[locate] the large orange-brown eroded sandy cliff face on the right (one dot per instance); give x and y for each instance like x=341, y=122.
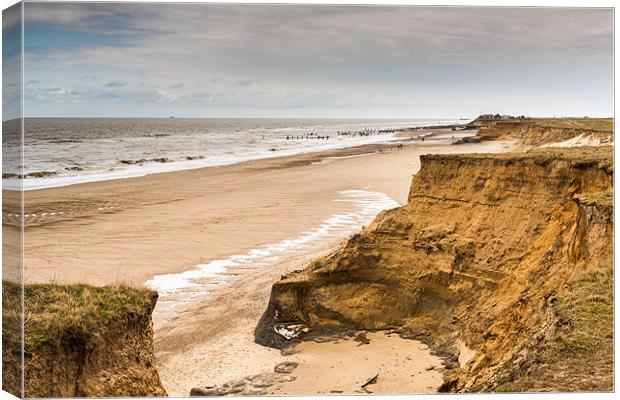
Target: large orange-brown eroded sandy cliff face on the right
x=479, y=255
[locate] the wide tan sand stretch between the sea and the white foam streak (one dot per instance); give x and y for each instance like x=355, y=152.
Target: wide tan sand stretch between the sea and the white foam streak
x=124, y=211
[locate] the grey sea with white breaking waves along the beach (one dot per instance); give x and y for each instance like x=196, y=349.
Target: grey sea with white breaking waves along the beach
x=66, y=151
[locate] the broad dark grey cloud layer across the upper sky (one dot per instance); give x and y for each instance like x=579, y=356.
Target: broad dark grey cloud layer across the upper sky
x=344, y=44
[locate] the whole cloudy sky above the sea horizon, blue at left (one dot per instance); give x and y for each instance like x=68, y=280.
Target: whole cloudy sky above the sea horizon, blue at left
x=224, y=60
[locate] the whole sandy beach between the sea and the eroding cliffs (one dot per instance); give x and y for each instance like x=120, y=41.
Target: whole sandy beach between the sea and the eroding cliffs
x=128, y=231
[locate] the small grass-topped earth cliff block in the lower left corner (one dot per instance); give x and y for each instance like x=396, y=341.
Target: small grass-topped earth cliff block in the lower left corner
x=80, y=341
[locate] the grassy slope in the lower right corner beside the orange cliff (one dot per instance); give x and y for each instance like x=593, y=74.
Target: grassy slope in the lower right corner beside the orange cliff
x=580, y=358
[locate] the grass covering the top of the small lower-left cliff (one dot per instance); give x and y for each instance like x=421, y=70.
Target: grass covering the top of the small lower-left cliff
x=68, y=314
